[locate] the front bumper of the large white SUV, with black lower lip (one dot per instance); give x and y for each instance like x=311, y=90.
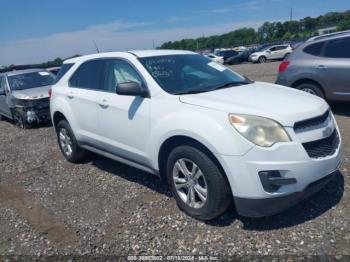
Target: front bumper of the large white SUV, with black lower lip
x=294, y=175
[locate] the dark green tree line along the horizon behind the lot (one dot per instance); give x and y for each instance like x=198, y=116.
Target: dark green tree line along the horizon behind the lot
x=268, y=32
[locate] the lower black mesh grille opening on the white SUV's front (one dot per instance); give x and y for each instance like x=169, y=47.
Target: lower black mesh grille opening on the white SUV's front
x=323, y=147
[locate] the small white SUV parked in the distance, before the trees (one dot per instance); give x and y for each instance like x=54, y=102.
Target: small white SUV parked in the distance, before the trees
x=276, y=52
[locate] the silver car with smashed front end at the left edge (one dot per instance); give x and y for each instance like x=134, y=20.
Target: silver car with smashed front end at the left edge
x=24, y=96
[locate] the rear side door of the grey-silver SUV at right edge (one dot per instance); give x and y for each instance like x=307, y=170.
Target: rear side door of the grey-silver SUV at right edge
x=334, y=67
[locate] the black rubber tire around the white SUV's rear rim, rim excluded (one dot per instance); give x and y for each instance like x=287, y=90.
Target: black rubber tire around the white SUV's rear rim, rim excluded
x=77, y=154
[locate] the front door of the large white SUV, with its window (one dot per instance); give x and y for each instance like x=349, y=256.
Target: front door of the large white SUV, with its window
x=123, y=120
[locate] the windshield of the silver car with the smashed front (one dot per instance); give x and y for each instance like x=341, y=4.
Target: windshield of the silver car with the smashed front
x=31, y=80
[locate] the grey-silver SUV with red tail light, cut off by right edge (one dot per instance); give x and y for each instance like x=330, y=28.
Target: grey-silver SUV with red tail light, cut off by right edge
x=320, y=66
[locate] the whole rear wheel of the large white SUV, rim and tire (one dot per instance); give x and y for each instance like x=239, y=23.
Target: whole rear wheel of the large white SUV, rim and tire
x=68, y=143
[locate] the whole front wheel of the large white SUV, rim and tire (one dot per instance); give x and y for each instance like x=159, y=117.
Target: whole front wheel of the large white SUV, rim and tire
x=199, y=187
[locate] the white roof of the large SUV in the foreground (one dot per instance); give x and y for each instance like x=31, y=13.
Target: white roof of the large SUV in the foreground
x=137, y=53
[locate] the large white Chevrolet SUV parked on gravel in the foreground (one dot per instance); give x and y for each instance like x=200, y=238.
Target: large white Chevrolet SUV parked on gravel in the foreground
x=211, y=134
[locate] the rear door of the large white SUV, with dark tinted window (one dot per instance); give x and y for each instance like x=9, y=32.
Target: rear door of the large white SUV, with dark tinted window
x=84, y=97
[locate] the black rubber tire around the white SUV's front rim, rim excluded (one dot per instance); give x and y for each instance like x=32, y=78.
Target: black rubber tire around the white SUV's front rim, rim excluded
x=218, y=196
